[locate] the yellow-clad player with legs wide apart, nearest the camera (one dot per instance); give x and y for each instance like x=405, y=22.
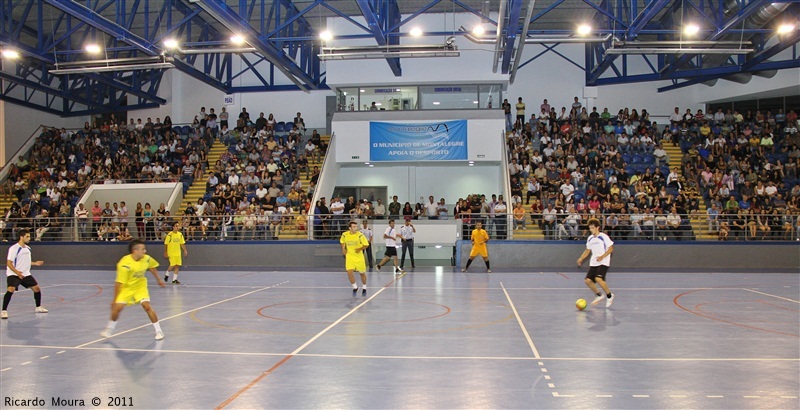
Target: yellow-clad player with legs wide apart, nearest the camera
x=131, y=286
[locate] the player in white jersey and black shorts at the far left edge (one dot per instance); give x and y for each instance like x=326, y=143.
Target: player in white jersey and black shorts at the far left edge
x=18, y=272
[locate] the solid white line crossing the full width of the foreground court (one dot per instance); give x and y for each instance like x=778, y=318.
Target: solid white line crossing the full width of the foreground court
x=394, y=357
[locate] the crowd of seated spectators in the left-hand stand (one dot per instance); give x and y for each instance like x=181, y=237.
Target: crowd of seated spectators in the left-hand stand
x=257, y=177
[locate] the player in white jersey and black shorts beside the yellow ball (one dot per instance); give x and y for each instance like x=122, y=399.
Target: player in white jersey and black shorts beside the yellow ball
x=600, y=247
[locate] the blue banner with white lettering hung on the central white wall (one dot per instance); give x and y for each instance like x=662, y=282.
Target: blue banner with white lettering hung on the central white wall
x=438, y=141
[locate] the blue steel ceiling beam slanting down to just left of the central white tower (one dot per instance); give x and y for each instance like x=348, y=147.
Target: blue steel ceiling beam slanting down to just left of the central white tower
x=239, y=24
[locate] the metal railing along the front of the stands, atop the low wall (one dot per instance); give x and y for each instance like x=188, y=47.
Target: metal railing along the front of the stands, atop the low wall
x=251, y=224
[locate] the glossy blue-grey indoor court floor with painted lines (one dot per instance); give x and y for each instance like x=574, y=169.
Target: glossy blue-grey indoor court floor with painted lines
x=432, y=338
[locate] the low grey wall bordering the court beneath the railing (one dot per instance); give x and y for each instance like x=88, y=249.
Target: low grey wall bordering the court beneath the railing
x=528, y=256
